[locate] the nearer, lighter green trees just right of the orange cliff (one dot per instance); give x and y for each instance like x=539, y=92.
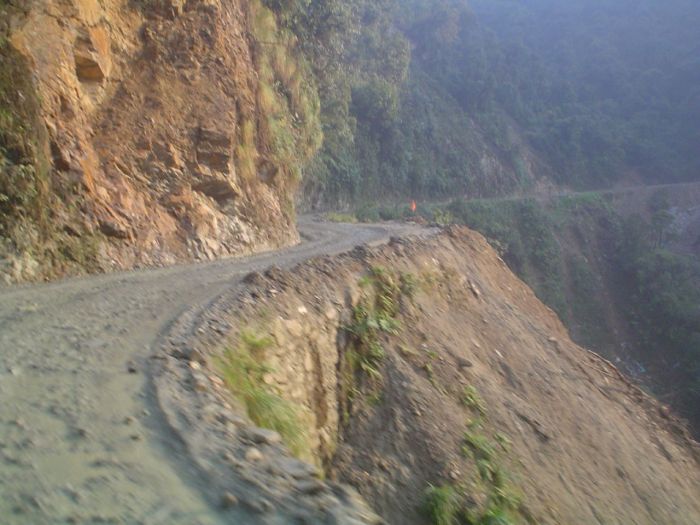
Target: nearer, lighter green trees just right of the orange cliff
x=358, y=59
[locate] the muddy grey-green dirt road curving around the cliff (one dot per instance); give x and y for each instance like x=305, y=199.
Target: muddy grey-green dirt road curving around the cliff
x=80, y=437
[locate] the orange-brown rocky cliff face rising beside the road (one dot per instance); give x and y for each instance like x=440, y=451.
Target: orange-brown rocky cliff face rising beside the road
x=158, y=136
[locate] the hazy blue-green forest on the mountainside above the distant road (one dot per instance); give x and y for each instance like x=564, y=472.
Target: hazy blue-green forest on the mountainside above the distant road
x=430, y=98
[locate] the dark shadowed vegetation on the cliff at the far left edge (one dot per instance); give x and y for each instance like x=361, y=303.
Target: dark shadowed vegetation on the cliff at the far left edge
x=29, y=192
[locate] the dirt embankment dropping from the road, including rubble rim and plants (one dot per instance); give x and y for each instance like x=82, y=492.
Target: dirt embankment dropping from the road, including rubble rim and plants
x=470, y=381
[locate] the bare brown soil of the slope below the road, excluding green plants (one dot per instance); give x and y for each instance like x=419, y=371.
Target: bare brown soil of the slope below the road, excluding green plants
x=586, y=445
